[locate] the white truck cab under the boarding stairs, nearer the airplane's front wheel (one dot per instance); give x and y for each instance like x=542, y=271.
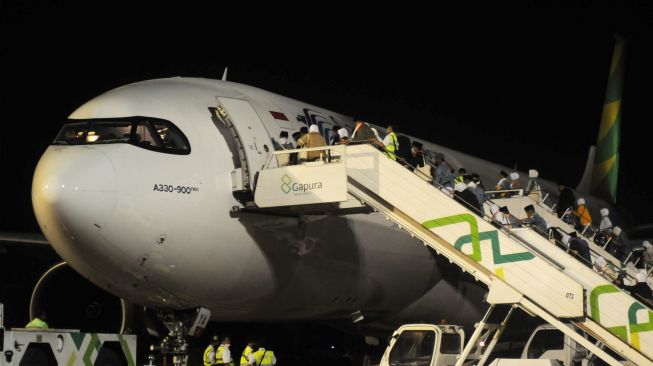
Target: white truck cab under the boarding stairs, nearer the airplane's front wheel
x=424, y=345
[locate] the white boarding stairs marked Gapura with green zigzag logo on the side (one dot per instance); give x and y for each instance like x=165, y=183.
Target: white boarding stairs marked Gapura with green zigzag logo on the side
x=519, y=266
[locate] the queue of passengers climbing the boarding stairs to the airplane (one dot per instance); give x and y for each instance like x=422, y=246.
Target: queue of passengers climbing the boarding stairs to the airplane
x=468, y=190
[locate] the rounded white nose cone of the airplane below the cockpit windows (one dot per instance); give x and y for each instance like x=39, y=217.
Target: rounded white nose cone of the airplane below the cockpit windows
x=74, y=191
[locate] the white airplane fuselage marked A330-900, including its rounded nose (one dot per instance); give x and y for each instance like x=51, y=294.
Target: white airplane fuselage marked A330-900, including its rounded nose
x=158, y=229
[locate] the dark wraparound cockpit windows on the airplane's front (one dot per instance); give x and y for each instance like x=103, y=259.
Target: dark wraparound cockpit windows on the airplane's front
x=145, y=132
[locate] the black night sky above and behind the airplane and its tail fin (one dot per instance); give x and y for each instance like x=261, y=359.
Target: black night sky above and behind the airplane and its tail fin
x=519, y=85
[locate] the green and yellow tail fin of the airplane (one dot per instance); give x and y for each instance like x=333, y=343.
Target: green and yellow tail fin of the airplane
x=606, y=156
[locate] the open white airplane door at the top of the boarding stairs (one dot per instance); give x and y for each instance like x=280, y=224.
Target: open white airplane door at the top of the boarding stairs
x=252, y=139
